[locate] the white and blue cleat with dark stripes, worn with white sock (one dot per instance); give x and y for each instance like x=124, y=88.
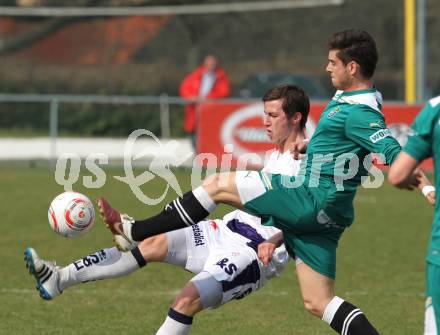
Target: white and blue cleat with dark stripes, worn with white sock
x=45, y=273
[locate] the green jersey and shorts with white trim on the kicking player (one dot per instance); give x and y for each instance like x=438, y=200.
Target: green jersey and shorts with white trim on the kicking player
x=314, y=209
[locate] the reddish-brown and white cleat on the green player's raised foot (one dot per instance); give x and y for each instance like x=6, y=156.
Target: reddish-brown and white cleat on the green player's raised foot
x=119, y=225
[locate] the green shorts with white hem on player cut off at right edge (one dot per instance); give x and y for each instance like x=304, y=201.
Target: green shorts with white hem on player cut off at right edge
x=433, y=292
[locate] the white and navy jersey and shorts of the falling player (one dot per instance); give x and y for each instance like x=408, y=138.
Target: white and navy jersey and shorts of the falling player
x=227, y=248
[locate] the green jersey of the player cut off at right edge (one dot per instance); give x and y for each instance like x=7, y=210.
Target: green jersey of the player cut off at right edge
x=424, y=142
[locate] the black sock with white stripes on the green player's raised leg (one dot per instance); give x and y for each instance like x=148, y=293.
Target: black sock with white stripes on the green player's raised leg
x=182, y=212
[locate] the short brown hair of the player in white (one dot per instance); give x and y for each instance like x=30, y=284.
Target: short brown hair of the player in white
x=294, y=101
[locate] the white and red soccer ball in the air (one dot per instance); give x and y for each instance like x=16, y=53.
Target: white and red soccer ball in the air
x=71, y=214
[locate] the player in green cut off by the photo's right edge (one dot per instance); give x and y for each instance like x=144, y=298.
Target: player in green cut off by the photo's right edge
x=424, y=142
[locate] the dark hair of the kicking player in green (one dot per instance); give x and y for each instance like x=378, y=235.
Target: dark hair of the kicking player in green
x=356, y=45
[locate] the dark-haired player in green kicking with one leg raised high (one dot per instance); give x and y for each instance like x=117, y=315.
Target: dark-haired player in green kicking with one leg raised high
x=314, y=209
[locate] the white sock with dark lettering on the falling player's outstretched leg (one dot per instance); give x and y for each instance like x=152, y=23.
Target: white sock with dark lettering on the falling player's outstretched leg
x=103, y=264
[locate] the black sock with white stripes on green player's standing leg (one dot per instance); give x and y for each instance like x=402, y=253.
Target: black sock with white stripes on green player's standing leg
x=349, y=320
